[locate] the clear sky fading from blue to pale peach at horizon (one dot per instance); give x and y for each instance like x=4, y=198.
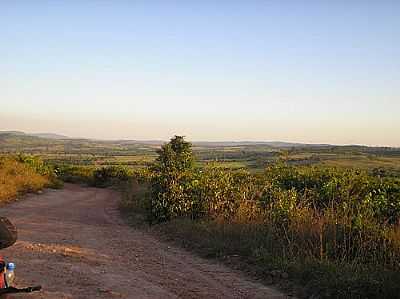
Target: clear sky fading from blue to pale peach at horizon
x=301, y=71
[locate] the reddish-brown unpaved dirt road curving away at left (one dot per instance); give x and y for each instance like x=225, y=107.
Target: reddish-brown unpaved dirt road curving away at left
x=74, y=243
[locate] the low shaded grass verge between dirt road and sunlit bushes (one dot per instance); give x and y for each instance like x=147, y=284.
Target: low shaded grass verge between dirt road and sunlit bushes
x=253, y=249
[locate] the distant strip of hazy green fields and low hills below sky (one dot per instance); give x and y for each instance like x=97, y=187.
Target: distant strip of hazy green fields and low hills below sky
x=253, y=156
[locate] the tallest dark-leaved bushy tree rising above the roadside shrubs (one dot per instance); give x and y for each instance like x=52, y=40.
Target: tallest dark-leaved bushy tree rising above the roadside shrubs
x=172, y=181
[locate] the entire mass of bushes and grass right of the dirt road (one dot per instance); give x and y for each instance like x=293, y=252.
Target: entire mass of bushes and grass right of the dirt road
x=335, y=229
